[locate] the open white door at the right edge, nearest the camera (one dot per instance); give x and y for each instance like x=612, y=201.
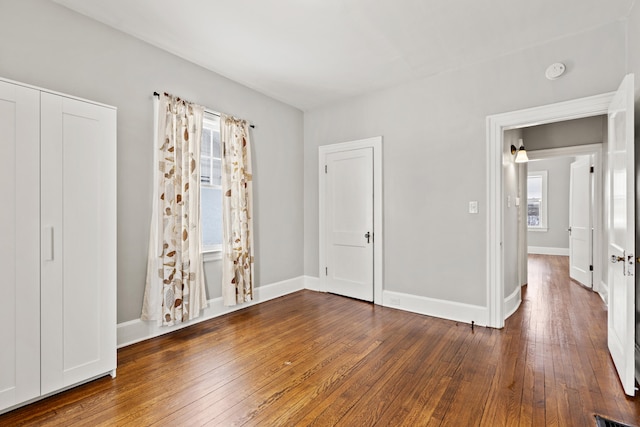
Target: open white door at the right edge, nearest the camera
x=621, y=227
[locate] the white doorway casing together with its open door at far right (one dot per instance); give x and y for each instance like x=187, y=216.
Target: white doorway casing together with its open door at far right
x=619, y=199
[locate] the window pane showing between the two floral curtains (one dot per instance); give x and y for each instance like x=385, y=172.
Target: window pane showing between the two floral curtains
x=211, y=185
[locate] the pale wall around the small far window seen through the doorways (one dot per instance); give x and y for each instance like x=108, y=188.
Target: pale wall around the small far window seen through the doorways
x=556, y=236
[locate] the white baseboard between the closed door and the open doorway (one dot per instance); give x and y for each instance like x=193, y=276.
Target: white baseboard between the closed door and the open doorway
x=449, y=310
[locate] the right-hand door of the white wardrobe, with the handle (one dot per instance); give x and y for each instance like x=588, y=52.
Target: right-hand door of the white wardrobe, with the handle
x=78, y=272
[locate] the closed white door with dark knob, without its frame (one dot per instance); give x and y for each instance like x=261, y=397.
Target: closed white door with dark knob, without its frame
x=349, y=223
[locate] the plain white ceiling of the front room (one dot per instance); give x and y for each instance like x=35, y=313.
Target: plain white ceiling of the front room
x=309, y=53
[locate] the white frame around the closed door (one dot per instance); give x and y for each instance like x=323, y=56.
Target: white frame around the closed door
x=376, y=144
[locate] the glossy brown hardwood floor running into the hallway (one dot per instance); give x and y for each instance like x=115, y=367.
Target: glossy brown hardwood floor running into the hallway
x=319, y=359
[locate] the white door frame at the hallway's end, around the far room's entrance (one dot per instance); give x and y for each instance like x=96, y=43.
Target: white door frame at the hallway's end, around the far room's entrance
x=597, y=203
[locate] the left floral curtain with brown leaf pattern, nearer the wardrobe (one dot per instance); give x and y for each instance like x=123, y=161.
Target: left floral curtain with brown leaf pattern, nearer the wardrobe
x=175, y=287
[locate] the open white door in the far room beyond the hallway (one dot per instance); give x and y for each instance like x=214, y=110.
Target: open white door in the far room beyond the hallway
x=580, y=236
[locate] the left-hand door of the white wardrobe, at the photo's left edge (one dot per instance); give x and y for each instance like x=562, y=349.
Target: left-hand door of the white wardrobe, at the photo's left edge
x=19, y=243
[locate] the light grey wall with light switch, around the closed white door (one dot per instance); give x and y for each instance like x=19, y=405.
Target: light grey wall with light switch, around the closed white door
x=435, y=154
